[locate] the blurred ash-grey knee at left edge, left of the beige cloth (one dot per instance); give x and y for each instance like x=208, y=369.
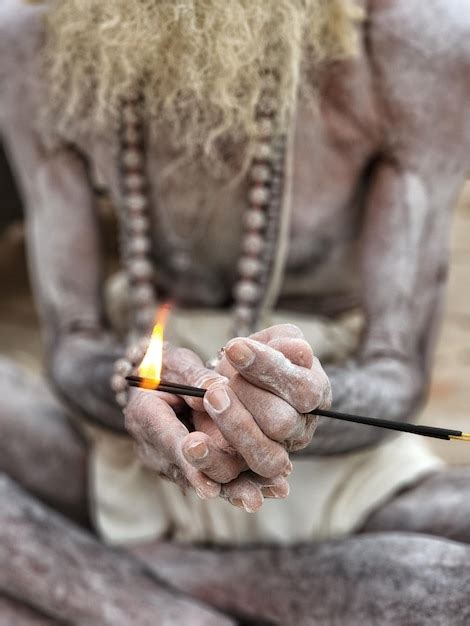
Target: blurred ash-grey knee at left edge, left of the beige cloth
x=39, y=448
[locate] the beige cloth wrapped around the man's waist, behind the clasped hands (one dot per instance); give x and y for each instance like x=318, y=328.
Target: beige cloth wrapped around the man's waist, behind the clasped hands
x=329, y=496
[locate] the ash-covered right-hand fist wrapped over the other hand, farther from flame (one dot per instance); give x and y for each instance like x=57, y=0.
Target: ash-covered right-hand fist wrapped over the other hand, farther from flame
x=274, y=380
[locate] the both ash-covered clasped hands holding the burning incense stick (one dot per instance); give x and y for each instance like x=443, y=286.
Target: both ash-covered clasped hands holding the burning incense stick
x=251, y=417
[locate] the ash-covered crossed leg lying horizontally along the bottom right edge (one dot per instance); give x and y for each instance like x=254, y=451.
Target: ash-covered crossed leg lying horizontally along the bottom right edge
x=386, y=579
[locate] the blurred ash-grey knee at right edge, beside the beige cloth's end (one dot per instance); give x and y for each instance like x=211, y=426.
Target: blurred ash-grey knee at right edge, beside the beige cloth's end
x=438, y=505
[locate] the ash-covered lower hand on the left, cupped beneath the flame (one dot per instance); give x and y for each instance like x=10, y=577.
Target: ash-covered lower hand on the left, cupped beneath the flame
x=200, y=459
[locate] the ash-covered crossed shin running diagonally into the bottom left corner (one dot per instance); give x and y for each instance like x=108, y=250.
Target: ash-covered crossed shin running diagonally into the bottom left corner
x=64, y=572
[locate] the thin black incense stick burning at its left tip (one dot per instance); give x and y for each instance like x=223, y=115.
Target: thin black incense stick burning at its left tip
x=415, y=429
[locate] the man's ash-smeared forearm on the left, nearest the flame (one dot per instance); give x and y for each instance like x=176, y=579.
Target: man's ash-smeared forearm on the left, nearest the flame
x=65, y=256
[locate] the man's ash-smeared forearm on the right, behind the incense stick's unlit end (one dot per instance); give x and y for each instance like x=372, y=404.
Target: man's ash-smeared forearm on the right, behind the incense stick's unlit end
x=404, y=257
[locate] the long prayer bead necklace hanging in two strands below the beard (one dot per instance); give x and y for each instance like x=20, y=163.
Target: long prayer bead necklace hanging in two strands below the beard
x=261, y=219
